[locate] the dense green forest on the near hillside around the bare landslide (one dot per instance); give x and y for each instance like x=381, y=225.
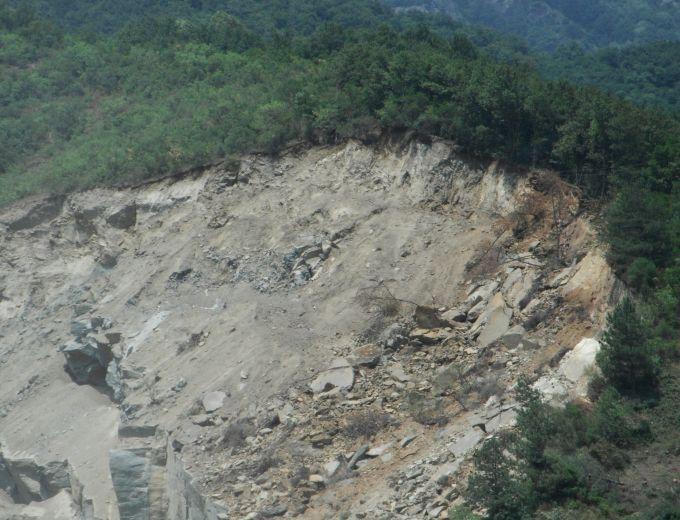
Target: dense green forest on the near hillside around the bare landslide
x=123, y=91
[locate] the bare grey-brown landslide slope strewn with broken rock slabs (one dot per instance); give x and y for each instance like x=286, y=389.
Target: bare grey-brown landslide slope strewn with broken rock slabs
x=327, y=334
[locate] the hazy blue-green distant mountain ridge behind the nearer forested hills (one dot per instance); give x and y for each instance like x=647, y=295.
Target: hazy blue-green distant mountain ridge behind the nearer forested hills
x=549, y=24
